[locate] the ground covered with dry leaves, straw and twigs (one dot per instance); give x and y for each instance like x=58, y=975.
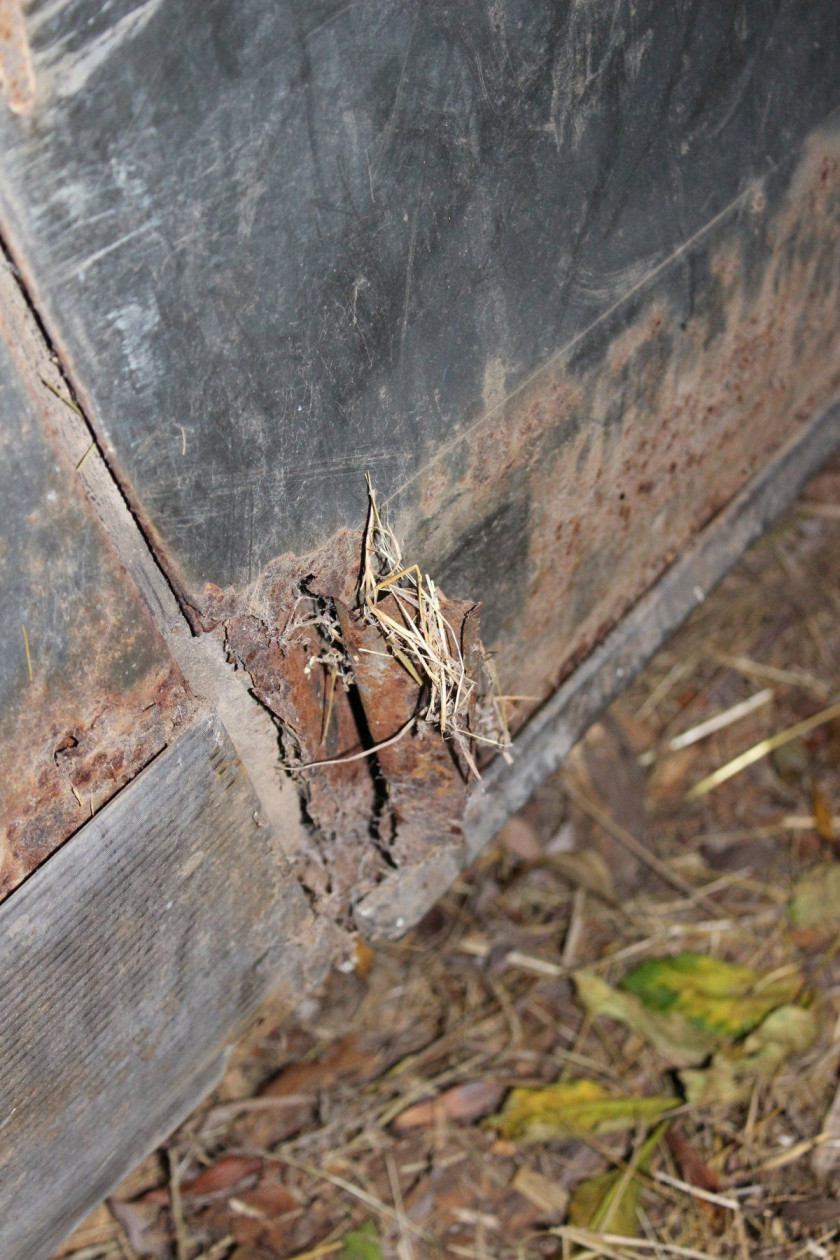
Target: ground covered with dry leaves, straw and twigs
x=382, y=1121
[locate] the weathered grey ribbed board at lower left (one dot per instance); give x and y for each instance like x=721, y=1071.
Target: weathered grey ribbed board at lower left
x=127, y=965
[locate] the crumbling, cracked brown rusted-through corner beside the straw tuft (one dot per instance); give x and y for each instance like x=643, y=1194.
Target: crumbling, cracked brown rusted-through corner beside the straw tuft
x=368, y=816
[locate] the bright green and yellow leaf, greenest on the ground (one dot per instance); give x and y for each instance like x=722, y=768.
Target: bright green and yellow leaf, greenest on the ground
x=713, y=996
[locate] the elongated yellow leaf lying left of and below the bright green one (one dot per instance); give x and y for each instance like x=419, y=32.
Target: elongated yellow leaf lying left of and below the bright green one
x=570, y=1108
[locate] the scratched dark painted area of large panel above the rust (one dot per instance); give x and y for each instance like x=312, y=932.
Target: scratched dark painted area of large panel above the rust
x=323, y=238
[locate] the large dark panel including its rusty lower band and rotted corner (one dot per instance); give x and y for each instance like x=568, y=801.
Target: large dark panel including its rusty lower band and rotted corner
x=564, y=278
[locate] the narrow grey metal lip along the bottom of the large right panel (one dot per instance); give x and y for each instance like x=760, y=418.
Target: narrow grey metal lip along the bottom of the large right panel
x=542, y=745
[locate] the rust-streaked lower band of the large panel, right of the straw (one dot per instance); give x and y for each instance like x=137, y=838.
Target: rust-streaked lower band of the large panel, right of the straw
x=567, y=502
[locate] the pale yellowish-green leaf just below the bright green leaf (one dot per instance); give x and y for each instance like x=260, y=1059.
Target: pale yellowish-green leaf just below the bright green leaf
x=735, y=1070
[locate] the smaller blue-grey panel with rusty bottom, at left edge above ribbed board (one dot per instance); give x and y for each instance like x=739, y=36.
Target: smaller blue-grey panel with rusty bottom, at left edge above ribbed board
x=105, y=697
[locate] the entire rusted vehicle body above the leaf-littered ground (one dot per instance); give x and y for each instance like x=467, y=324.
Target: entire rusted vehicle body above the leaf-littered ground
x=564, y=279
